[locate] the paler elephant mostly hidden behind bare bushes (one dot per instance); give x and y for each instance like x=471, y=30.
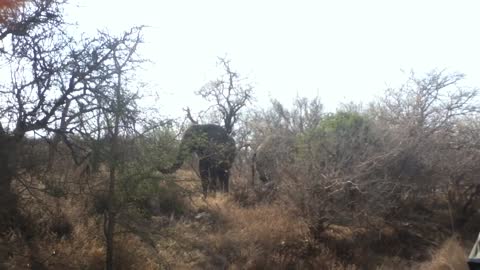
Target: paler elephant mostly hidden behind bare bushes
x=274, y=152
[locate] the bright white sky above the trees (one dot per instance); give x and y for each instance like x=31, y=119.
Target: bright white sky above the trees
x=342, y=51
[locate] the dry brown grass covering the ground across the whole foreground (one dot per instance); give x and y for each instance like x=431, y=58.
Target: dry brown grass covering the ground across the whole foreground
x=217, y=233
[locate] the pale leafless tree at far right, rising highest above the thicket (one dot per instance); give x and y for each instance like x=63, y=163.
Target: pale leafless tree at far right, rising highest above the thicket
x=424, y=123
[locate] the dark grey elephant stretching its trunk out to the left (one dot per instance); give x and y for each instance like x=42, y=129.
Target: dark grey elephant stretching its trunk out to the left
x=216, y=152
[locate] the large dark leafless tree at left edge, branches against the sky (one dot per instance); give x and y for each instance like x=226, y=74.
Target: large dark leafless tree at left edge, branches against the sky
x=52, y=80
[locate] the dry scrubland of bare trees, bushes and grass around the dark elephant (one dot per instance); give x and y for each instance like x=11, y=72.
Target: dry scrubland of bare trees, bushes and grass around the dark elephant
x=388, y=185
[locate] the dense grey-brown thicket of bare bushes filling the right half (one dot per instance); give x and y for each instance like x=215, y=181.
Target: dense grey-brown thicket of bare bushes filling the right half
x=408, y=160
